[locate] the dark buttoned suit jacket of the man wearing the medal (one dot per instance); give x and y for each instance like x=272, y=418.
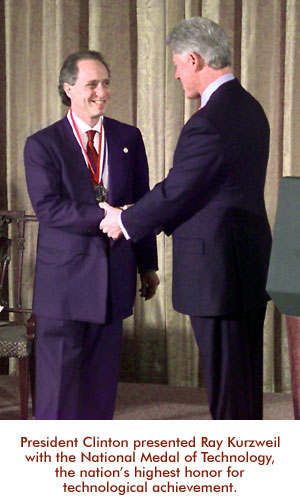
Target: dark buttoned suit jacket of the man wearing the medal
x=80, y=274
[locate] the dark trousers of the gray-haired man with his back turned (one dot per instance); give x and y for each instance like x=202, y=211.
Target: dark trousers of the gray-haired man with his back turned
x=231, y=350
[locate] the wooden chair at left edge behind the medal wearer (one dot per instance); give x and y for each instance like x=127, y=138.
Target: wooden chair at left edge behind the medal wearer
x=17, y=336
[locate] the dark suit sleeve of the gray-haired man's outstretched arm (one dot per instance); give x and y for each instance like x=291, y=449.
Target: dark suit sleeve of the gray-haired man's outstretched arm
x=198, y=162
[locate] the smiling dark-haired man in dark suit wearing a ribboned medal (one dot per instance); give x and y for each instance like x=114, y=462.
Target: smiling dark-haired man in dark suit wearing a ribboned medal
x=85, y=283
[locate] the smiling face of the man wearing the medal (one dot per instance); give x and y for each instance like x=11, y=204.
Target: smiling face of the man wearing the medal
x=91, y=92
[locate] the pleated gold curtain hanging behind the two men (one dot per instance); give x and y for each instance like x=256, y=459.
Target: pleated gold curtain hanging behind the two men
x=265, y=40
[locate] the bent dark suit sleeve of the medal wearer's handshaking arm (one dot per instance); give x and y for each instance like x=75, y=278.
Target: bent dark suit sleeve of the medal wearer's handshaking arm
x=50, y=199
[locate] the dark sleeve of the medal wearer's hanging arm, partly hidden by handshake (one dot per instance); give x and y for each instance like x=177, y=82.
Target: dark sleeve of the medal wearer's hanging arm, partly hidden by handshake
x=145, y=248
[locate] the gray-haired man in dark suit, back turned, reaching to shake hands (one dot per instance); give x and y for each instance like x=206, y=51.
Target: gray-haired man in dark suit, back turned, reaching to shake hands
x=212, y=202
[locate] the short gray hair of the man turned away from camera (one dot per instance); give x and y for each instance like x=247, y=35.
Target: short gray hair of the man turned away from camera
x=204, y=37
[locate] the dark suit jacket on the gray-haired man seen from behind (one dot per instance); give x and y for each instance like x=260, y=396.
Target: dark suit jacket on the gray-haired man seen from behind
x=212, y=201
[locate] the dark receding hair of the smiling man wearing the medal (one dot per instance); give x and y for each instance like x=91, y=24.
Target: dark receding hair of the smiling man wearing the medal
x=69, y=70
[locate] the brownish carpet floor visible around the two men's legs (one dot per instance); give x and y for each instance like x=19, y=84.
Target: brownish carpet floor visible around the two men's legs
x=153, y=402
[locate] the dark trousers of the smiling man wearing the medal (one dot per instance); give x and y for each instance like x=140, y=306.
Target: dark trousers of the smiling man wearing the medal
x=77, y=369
